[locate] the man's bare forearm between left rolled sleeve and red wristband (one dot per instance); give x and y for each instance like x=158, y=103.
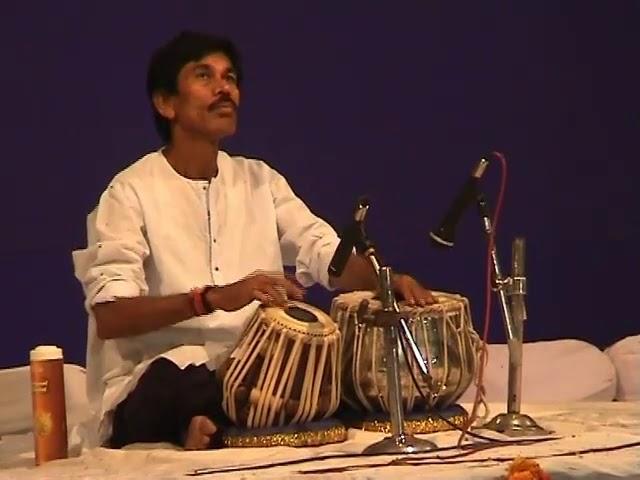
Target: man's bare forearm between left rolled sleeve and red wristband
x=126, y=317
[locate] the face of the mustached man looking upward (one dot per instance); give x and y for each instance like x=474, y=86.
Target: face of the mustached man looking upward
x=206, y=104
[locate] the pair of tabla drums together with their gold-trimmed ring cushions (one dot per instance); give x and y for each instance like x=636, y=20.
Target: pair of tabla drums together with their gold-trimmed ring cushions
x=292, y=366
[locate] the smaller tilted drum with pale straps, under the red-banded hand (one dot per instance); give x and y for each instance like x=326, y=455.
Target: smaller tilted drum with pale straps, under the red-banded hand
x=284, y=370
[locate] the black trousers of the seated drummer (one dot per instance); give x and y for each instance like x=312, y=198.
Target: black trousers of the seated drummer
x=161, y=406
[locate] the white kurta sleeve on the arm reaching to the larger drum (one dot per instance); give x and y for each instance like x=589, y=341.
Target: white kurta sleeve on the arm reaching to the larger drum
x=306, y=241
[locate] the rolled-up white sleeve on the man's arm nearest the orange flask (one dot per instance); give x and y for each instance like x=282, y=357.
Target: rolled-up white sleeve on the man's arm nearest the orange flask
x=112, y=264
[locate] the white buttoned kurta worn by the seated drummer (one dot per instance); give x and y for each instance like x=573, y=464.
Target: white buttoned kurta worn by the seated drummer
x=157, y=233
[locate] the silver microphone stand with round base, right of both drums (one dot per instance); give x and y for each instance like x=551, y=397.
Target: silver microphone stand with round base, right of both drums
x=512, y=423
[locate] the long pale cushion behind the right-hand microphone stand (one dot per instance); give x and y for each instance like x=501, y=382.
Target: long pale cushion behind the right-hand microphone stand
x=553, y=372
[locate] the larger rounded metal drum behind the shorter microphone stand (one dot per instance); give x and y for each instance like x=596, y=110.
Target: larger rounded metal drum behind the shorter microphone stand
x=443, y=333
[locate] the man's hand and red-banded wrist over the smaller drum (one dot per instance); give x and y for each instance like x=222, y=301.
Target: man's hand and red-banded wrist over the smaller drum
x=267, y=287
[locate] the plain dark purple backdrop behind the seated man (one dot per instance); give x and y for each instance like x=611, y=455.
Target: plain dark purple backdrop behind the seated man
x=396, y=100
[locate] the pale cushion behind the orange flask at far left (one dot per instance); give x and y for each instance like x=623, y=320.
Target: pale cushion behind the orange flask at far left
x=15, y=400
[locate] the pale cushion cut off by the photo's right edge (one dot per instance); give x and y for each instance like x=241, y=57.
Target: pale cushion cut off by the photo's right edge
x=625, y=355
